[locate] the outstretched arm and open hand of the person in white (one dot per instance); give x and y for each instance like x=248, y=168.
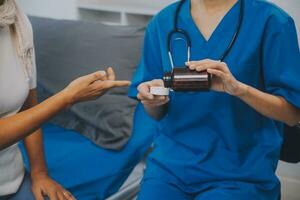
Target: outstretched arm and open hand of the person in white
x=90, y=87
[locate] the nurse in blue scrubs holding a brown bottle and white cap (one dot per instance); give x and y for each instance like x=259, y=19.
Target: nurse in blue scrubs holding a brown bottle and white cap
x=222, y=144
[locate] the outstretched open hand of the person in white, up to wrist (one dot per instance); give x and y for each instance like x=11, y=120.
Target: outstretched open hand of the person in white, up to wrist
x=92, y=86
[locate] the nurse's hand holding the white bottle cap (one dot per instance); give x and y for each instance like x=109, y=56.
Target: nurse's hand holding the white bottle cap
x=149, y=99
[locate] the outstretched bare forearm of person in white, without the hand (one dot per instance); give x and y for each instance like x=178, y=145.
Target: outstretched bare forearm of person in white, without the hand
x=16, y=127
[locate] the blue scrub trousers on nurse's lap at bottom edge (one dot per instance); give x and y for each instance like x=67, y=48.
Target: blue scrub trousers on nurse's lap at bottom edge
x=160, y=190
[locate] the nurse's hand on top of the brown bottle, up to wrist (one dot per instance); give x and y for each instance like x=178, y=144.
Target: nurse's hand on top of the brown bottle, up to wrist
x=222, y=78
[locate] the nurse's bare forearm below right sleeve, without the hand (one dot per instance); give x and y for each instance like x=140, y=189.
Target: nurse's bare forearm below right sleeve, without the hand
x=270, y=106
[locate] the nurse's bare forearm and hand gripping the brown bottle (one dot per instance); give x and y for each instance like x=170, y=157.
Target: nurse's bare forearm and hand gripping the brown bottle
x=269, y=105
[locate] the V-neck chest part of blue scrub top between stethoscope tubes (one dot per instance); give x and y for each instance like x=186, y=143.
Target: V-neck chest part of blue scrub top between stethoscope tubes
x=219, y=40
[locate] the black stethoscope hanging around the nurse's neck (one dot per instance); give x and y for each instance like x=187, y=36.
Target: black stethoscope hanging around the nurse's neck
x=185, y=34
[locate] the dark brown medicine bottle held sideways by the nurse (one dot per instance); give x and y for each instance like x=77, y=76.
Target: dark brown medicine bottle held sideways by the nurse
x=186, y=80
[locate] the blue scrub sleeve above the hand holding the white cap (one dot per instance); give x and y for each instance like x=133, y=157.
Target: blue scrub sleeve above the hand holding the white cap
x=150, y=66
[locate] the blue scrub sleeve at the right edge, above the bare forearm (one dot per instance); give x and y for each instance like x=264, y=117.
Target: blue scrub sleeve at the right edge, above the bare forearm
x=281, y=60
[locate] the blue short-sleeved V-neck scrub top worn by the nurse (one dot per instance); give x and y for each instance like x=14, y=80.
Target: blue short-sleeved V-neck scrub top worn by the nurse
x=211, y=137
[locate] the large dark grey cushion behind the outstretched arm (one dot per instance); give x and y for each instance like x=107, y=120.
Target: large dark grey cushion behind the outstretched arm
x=69, y=49
